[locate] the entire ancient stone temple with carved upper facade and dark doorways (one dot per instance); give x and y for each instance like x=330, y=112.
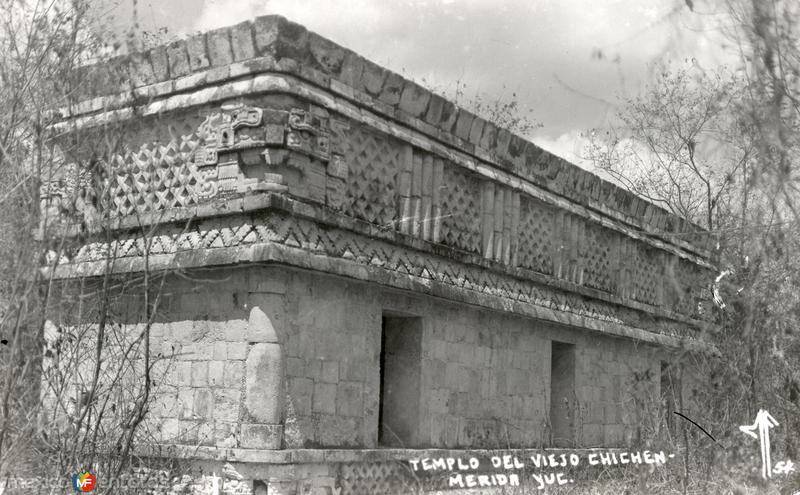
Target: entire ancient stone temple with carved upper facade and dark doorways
x=360, y=271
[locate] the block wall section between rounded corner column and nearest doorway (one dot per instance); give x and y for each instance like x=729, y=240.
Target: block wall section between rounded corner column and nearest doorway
x=333, y=350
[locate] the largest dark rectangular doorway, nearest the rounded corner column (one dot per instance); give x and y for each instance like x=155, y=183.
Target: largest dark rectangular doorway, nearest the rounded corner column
x=400, y=363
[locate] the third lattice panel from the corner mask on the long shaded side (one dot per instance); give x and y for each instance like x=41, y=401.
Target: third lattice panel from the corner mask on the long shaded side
x=536, y=236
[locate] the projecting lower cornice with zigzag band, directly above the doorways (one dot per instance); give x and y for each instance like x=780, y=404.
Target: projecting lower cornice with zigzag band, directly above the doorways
x=257, y=229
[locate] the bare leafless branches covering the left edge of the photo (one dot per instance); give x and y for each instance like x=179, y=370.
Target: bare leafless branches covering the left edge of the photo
x=77, y=372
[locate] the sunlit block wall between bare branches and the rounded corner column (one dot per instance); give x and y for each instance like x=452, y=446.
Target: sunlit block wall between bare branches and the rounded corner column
x=206, y=344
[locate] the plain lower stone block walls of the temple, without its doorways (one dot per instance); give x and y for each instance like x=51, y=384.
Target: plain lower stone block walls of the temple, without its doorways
x=484, y=376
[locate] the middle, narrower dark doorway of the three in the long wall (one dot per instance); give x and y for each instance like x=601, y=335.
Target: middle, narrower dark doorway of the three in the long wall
x=562, y=394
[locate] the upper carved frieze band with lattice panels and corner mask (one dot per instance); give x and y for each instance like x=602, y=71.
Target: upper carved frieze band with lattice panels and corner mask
x=392, y=184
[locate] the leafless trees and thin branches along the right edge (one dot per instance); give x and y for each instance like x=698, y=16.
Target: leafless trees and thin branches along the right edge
x=719, y=147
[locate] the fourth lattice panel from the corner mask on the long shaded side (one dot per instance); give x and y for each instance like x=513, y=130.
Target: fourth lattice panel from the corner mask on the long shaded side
x=599, y=258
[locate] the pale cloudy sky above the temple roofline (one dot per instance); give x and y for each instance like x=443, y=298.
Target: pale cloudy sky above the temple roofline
x=544, y=50
